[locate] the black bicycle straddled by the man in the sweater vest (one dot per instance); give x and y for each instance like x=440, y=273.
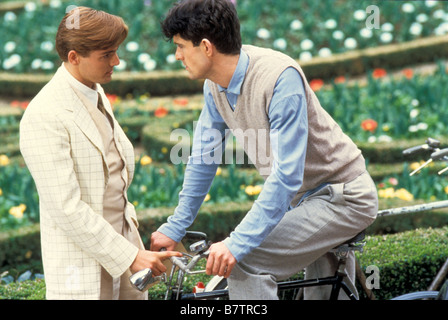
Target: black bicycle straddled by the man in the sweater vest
x=217, y=287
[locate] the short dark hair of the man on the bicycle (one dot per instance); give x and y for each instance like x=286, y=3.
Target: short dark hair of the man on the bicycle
x=215, y=20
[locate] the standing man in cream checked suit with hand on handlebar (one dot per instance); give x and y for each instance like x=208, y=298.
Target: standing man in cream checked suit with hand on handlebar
x=82, y=164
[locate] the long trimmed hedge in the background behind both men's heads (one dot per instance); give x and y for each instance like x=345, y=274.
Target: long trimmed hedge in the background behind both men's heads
x=160, y=83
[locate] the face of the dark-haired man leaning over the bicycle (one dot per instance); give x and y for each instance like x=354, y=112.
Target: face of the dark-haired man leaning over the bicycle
x=194, y=59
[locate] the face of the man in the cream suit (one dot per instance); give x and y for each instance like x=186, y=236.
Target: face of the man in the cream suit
x=97, y=67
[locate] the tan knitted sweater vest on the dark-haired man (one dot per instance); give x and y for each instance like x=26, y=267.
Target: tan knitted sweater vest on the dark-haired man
x=331, y=156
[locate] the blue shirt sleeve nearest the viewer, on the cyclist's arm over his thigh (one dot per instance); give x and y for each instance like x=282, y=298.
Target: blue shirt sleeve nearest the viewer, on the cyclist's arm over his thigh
x=289, y=135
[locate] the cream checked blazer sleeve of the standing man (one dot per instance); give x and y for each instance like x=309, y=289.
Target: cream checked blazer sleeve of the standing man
x=45, y=143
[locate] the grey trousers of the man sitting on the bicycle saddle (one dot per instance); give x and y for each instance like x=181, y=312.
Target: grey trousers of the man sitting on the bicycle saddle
x=303, y=239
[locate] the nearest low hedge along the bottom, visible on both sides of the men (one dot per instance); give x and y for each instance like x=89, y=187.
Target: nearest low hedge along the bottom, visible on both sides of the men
x=406, y=261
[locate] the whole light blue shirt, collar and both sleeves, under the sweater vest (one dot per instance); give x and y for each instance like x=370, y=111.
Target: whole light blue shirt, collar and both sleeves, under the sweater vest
x=288, y=119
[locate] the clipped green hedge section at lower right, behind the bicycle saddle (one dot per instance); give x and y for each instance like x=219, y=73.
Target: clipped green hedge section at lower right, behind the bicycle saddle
x=407, y=261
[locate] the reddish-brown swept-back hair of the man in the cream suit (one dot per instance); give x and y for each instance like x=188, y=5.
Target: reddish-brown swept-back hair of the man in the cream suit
x=85, y=30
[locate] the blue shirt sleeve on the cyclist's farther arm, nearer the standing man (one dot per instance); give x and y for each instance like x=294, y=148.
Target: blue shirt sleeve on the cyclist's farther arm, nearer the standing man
x=209, y=141
